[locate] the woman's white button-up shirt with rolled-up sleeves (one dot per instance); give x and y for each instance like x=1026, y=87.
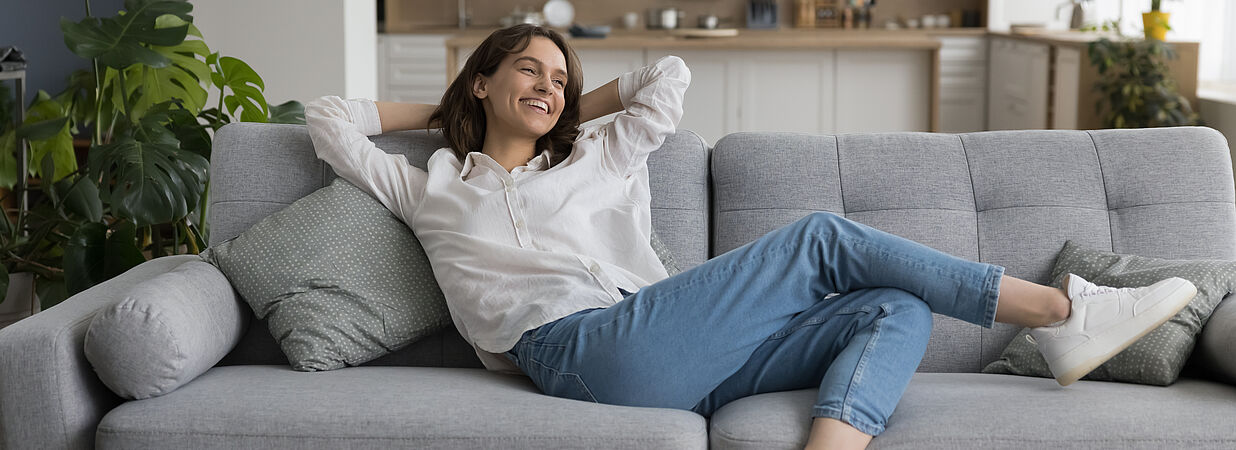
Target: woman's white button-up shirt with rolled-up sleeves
x=514, y=252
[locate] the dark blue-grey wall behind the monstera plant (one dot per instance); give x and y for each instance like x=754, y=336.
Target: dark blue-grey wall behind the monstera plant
x=35, y=28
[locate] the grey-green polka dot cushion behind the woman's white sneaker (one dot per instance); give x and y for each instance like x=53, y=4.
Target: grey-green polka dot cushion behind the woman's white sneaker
x=1160, y=357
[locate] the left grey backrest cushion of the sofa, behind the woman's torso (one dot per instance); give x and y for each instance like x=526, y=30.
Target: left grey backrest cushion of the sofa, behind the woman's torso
x=260, y=169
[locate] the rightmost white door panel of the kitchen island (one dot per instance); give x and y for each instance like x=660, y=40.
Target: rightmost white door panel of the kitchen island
x=883, y=91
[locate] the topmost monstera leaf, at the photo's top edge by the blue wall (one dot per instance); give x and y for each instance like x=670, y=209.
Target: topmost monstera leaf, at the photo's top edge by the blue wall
x=118, y=43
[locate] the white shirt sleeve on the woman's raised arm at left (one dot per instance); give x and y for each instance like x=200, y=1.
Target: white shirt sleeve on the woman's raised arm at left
x=341, y=132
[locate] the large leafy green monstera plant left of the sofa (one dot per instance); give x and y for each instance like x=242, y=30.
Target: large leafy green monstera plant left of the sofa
x=143, y=192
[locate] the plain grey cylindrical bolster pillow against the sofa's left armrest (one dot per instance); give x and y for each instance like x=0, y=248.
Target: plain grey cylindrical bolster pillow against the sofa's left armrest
x=166, y=332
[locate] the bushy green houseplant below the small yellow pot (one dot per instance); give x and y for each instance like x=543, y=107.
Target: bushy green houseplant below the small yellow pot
x=1137, y=87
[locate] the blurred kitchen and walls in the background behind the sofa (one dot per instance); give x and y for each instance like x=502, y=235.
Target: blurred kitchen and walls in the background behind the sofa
x=810, y=66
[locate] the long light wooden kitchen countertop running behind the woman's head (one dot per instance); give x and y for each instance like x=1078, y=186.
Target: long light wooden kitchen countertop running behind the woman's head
x=746, y=39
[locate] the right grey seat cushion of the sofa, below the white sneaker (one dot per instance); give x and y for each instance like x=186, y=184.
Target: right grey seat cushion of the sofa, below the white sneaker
x=983, y=411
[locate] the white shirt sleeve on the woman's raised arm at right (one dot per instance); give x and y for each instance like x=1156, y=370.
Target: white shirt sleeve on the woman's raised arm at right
x=652, y=98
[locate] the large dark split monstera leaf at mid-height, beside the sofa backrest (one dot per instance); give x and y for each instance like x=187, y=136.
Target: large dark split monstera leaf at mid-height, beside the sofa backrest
x=148, y=179
